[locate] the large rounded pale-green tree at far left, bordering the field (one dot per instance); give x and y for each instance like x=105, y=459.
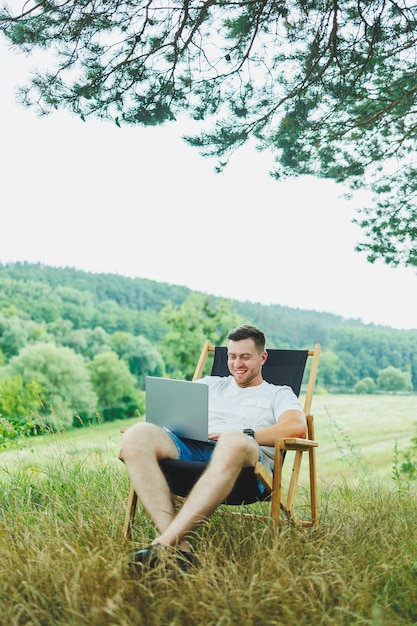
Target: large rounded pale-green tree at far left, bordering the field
x=63, y=378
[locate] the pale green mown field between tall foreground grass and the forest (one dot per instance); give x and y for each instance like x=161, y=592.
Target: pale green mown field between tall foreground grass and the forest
x=356, y=434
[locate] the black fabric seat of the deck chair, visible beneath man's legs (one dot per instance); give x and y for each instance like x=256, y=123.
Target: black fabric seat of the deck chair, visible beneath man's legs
x=182, y=475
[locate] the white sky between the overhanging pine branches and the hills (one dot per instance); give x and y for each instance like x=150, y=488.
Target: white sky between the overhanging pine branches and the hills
x=139, y=202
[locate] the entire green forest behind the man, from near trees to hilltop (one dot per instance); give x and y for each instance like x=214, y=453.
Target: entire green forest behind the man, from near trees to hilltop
x=76, y=347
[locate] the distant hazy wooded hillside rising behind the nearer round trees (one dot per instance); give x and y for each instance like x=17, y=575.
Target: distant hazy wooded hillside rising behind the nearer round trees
x=84, y=310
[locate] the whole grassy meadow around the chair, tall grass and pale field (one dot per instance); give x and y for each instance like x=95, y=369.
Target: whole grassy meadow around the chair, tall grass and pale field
x=64, y=562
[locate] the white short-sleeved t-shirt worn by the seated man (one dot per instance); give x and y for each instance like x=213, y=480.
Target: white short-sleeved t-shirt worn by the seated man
x=234, y=408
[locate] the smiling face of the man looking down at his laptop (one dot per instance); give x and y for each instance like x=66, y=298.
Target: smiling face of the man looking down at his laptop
x=245, y=362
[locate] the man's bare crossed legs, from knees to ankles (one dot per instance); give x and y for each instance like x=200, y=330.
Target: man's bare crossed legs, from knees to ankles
x=144, y=444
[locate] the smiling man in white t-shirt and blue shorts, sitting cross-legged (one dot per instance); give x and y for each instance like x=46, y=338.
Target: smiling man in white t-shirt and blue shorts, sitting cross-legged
x=246, y=416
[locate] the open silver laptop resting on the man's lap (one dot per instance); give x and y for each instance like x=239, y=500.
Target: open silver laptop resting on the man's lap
x=180, y=405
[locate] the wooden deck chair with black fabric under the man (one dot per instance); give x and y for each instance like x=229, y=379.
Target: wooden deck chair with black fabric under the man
x=283, y=367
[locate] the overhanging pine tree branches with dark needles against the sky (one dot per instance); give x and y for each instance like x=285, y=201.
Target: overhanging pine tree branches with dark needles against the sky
x=329, y=86
